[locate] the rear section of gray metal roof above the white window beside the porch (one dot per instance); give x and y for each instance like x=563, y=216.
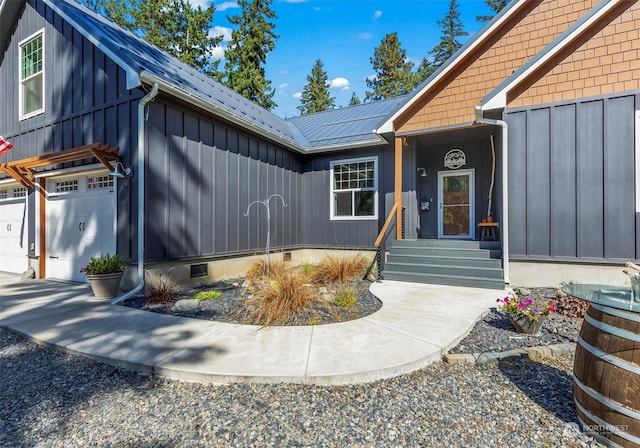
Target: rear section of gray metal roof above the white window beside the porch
x=349, y=126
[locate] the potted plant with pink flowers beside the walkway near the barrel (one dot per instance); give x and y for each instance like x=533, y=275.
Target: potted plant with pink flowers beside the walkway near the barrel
x=525, y=315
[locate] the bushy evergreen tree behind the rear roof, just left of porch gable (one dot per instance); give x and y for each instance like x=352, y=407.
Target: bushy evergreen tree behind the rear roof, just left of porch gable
x=394, y=75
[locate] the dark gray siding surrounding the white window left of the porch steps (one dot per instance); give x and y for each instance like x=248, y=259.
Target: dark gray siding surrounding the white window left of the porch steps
x=318, y=228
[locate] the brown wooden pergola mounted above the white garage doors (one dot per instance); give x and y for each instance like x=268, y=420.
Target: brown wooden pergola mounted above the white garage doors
x=24, y=170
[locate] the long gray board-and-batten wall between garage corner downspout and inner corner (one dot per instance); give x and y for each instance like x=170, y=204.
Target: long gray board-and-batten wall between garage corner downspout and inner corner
x=201, y=177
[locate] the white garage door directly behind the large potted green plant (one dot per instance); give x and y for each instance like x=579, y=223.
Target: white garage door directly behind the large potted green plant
x=80, y=215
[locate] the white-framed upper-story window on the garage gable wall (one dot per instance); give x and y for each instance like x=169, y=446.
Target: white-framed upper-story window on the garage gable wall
x=32, y=75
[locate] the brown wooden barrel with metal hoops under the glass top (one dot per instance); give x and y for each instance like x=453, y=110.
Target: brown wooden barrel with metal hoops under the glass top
x=607, y=376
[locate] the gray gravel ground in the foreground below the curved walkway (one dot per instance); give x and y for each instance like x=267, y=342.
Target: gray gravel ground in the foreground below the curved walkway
x=51, y=399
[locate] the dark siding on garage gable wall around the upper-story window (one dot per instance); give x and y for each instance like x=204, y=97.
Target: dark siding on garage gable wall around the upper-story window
x=85, y=101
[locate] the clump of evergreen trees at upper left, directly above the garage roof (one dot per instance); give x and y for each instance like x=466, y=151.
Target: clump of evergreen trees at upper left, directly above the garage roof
x=171, y=25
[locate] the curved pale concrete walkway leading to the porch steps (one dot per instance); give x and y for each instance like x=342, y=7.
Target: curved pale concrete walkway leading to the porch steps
x=416, y=325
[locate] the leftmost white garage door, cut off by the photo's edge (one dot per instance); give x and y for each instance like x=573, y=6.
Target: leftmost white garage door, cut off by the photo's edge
x=13, y=228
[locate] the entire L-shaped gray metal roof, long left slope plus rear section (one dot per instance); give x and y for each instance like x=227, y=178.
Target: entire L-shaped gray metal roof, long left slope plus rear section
x=143, y=62
